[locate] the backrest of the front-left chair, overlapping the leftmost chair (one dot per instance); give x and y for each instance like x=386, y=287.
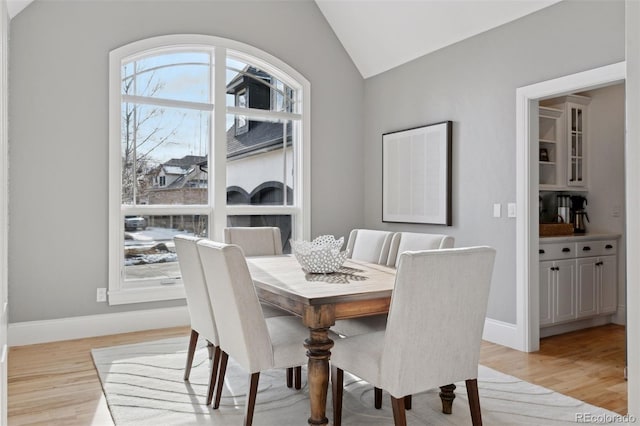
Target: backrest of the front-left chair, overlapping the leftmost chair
x=242, y=328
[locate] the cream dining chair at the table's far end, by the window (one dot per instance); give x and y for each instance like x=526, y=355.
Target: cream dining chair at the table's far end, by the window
x=263, y=241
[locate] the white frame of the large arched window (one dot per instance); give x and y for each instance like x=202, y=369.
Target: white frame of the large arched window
x=217, y=210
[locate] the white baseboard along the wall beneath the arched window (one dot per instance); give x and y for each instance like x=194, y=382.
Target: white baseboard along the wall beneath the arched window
x=31, y=332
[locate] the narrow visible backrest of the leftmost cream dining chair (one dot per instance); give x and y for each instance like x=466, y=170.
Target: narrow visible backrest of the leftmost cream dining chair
x=195, y=288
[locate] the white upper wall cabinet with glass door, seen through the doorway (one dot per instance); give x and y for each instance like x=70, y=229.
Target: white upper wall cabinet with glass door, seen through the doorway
x=562, y=130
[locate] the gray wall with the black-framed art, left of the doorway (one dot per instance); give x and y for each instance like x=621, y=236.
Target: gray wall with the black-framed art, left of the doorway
x=473, y=83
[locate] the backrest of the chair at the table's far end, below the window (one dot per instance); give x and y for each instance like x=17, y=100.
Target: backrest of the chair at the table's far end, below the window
x=255, y=241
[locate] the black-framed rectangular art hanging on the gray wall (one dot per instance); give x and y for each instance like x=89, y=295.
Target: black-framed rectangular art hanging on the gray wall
x=416, y=175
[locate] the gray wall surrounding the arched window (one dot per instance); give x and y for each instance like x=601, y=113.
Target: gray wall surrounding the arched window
x=58, y=131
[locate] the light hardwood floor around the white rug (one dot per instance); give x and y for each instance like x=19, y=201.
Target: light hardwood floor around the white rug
x=56, y=383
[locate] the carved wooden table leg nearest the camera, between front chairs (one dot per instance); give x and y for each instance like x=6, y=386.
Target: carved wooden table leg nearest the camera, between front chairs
x=318, y=345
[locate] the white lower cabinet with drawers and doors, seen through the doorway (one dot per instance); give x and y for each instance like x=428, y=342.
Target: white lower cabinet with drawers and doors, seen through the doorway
x=577, y=280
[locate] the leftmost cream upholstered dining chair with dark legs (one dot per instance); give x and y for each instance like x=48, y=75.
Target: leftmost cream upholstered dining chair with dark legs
x=200, y=312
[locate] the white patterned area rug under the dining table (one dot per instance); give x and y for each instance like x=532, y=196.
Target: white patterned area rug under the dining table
x=143, y=385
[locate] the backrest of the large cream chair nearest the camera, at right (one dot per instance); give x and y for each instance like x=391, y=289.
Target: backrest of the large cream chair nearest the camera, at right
x=434, y=329
